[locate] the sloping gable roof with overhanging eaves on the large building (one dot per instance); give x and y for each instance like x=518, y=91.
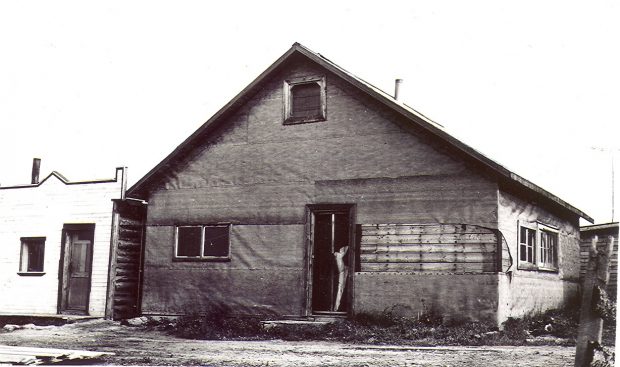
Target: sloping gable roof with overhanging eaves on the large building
x=140, y=188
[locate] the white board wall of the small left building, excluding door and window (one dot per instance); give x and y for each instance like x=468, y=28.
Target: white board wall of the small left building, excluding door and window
x=41, y=211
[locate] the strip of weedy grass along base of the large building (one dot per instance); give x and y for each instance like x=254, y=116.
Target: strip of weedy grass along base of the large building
x=553, y=327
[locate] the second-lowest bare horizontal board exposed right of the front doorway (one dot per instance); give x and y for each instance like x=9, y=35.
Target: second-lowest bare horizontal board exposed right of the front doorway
x=421, y=257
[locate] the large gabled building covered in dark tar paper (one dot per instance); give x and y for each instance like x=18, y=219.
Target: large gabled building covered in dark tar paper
x=313, y=192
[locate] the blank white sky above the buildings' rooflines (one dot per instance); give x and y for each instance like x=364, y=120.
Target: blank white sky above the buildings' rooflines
x=534, y=85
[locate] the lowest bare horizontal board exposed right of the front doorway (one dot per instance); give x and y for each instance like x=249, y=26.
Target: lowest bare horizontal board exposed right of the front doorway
x=429, y=267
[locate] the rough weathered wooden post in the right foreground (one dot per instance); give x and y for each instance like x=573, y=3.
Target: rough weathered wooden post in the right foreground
x=591, y=323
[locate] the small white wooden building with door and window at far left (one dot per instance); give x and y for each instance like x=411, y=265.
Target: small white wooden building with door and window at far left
x=55, y=244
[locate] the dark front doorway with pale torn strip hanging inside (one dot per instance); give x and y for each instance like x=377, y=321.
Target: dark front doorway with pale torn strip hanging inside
x=331, y=254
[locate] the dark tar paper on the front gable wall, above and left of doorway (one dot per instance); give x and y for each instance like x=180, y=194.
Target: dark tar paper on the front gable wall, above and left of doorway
x=259, y=175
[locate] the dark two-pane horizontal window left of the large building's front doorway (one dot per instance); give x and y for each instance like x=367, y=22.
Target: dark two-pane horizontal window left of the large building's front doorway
x=204, y=242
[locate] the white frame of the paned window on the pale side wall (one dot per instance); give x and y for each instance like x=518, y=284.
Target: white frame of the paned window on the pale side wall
x=539, y=229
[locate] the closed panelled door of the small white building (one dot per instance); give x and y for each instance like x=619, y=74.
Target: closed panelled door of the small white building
x=76, y=270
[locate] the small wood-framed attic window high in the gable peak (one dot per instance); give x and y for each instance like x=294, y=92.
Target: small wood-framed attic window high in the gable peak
x=304, y=100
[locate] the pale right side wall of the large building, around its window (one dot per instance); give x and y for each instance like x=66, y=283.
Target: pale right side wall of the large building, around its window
x=524, y=292
